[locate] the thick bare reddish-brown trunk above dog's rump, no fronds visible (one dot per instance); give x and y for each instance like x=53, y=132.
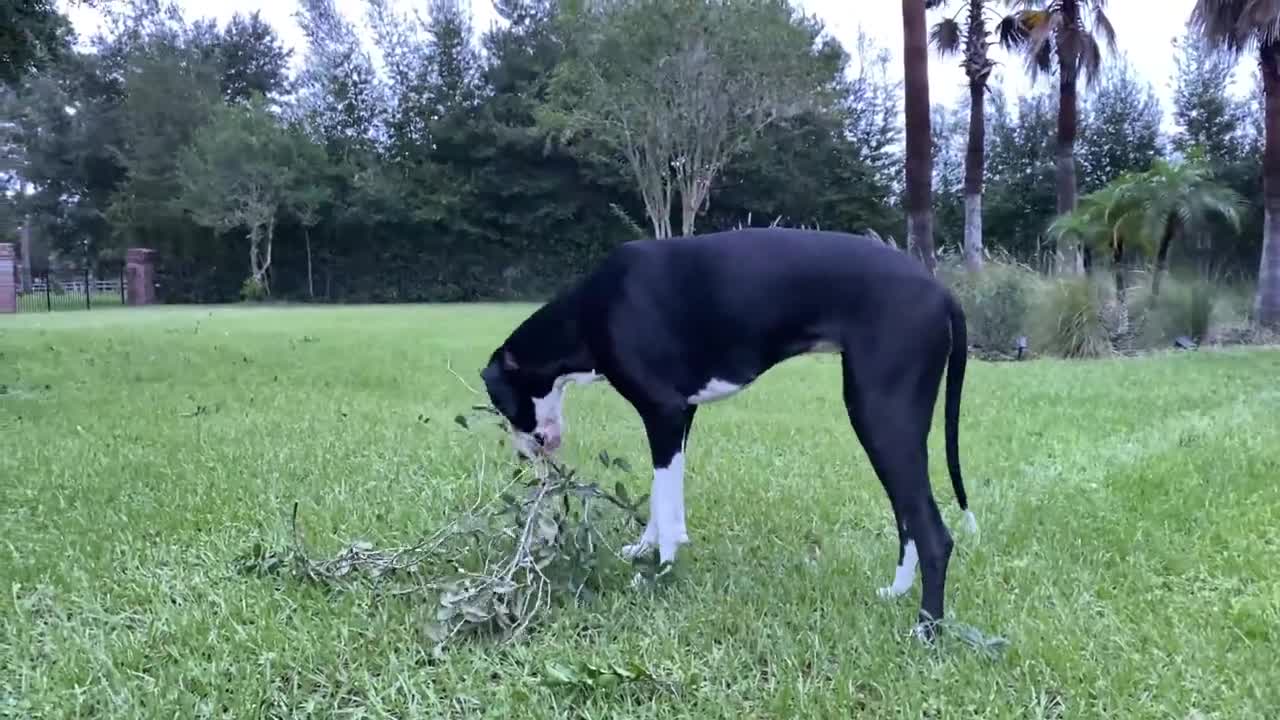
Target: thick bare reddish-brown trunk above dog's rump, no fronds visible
x=920, y=142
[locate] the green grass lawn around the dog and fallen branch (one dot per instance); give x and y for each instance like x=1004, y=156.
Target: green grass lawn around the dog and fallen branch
x=1130, y=545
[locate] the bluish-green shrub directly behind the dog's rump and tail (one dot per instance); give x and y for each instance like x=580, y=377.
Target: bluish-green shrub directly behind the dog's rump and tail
x=996, y=302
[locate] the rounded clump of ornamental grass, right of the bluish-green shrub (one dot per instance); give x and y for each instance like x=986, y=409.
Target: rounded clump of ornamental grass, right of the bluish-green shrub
x=1076, y=317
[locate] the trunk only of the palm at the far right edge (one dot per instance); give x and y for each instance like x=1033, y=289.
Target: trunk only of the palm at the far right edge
x=1268, y=302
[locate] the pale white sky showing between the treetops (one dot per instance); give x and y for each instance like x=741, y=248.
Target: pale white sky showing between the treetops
x=1144, y=37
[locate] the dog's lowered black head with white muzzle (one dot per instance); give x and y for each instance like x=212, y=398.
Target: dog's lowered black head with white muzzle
x=529, y=400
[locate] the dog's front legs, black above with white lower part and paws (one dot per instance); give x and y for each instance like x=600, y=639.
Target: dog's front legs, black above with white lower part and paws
x=666, y=528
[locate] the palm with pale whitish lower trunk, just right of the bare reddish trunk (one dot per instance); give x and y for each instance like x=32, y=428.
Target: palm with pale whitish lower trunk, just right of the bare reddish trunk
x=971, y=40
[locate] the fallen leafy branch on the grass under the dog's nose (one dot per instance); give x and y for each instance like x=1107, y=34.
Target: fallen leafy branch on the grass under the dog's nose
x=496, y=569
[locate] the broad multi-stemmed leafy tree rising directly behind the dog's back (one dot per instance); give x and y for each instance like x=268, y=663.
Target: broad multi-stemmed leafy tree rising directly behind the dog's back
x=680, y=88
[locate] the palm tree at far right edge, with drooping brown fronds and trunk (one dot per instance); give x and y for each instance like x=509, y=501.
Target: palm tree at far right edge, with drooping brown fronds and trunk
x=1238, y=28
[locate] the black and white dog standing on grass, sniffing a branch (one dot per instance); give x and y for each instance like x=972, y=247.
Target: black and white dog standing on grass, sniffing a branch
x=675, y=323
